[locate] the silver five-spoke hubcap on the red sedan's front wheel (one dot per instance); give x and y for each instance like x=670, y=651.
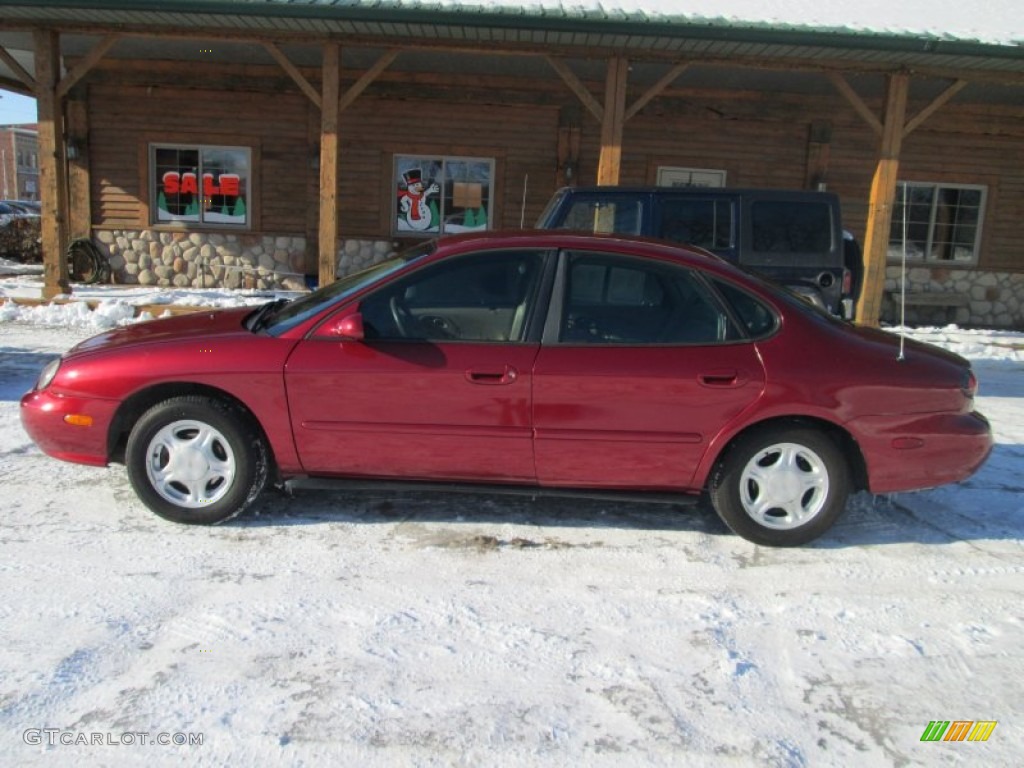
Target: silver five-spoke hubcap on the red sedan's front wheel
x=190, y=464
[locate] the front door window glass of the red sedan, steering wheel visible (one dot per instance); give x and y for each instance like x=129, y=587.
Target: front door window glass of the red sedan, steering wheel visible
x=478, y=297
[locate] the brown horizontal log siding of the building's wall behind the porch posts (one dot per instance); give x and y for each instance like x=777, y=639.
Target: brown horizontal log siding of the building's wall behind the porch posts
x=760, y=139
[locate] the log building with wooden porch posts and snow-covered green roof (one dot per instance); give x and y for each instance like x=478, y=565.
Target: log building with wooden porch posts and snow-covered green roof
x=275, y=144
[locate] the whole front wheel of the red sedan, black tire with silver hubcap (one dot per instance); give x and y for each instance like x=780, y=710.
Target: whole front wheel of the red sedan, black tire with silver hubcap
x=197, y=460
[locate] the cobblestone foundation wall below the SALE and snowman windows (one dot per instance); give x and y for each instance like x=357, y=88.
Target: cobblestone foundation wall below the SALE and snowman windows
x=263, y=263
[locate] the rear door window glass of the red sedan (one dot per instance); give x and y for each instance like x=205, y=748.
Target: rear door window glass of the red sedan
x=619, y=301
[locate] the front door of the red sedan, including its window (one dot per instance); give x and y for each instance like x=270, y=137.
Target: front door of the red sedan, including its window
x=441, y=387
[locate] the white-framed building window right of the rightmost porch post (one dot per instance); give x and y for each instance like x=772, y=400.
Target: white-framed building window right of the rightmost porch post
x=937, y=223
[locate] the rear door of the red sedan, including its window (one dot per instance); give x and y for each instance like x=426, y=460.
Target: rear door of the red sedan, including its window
x=641, y=369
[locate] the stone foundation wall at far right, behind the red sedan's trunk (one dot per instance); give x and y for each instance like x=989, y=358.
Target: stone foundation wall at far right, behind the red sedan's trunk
x=994, y=300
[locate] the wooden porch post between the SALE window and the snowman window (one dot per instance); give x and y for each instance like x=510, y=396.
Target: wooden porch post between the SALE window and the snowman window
x=328, y=236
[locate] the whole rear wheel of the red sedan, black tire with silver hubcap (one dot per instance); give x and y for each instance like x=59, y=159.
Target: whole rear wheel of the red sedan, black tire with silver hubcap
x=781, y=486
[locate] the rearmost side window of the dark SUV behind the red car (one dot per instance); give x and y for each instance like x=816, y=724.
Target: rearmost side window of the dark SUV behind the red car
x=785, y=227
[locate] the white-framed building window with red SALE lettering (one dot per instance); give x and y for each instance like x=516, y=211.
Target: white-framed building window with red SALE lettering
x=200, y=185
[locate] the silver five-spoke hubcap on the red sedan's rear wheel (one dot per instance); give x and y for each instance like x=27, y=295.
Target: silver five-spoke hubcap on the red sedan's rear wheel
x=784, y=486
